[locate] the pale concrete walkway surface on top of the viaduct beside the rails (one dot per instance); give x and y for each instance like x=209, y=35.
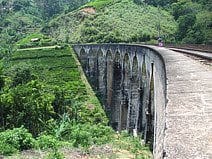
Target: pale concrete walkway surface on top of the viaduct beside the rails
x=189, y=109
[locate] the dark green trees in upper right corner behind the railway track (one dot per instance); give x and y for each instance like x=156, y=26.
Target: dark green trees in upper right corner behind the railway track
x=194, y=21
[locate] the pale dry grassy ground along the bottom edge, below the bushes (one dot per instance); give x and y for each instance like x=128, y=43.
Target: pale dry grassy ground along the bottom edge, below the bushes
x=121, y=147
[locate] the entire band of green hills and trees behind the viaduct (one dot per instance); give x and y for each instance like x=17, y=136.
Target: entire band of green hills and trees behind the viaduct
x=98, y=21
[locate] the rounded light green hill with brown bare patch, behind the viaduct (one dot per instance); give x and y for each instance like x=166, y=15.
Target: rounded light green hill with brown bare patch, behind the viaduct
x=115, y=21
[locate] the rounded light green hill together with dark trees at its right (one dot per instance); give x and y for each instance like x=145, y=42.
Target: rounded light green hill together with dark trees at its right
x=183, y=21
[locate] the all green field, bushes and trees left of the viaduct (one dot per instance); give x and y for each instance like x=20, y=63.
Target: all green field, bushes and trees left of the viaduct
x=46, y=104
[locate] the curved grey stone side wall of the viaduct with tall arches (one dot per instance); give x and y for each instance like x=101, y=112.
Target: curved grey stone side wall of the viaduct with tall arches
x=131, y=82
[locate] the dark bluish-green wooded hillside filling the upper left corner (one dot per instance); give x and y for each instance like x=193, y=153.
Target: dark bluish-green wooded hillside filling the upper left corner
x=20, y=18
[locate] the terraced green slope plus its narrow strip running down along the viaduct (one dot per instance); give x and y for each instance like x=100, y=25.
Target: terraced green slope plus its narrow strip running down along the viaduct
x=55, y=67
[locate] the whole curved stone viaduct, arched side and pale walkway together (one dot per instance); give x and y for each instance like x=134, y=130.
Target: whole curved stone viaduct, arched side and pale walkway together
x=163, y=96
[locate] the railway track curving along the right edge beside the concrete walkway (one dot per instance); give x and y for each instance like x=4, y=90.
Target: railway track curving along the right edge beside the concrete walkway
x=202, y=56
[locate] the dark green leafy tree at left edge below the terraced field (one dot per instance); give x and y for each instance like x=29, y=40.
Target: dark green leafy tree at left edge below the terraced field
x=27, y=105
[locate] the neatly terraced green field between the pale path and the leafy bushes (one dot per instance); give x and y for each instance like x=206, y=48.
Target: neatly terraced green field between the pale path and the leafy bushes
x=52, y=66
